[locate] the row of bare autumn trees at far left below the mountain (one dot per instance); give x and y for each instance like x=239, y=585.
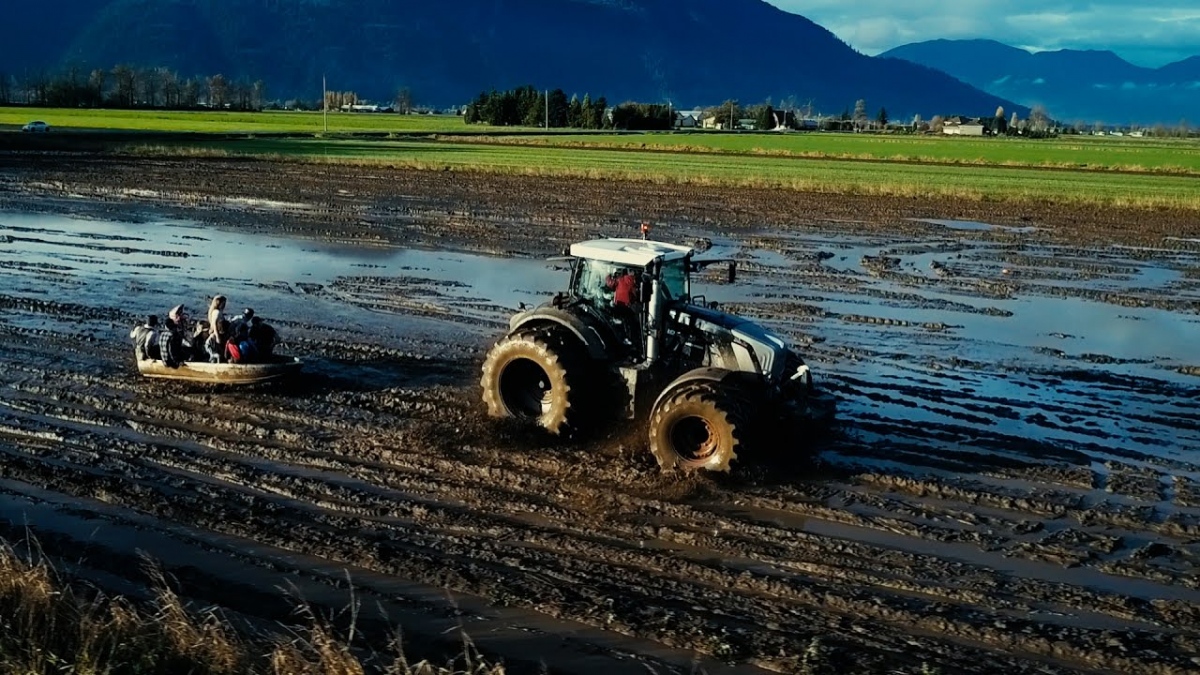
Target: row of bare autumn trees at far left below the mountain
x=129, y=87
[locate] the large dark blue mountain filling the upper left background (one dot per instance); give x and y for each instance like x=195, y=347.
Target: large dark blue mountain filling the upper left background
x=692, y=55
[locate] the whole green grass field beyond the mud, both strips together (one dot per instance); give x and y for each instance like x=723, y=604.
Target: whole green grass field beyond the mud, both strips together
x=1141, y=172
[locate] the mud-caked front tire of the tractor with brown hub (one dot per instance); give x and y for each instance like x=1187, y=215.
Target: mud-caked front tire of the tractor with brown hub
x=698, y=427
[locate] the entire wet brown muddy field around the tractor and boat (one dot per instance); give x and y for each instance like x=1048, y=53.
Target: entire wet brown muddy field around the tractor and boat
x=1013, y=482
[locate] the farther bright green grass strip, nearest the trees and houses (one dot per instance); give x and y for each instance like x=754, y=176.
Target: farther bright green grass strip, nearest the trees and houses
x=1071, y=152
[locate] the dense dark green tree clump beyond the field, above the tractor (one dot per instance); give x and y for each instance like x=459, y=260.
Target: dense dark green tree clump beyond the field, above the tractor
x=526, y=106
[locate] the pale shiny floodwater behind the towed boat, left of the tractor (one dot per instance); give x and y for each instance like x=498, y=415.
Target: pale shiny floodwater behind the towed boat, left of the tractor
x=152, y=266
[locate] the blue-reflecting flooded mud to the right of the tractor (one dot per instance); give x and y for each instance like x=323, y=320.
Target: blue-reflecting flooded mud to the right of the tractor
x=982, y=355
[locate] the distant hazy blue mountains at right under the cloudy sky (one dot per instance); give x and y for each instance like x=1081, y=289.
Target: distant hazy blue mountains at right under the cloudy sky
x=1073, y=86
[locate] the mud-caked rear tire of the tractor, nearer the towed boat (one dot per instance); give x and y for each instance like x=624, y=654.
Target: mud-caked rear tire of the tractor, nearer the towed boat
x=538, y=378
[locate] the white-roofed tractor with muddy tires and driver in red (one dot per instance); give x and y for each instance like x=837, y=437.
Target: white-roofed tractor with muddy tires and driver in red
x=705, y=380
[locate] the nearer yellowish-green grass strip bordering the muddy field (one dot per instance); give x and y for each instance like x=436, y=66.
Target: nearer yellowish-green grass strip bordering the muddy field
x=973, y=182
